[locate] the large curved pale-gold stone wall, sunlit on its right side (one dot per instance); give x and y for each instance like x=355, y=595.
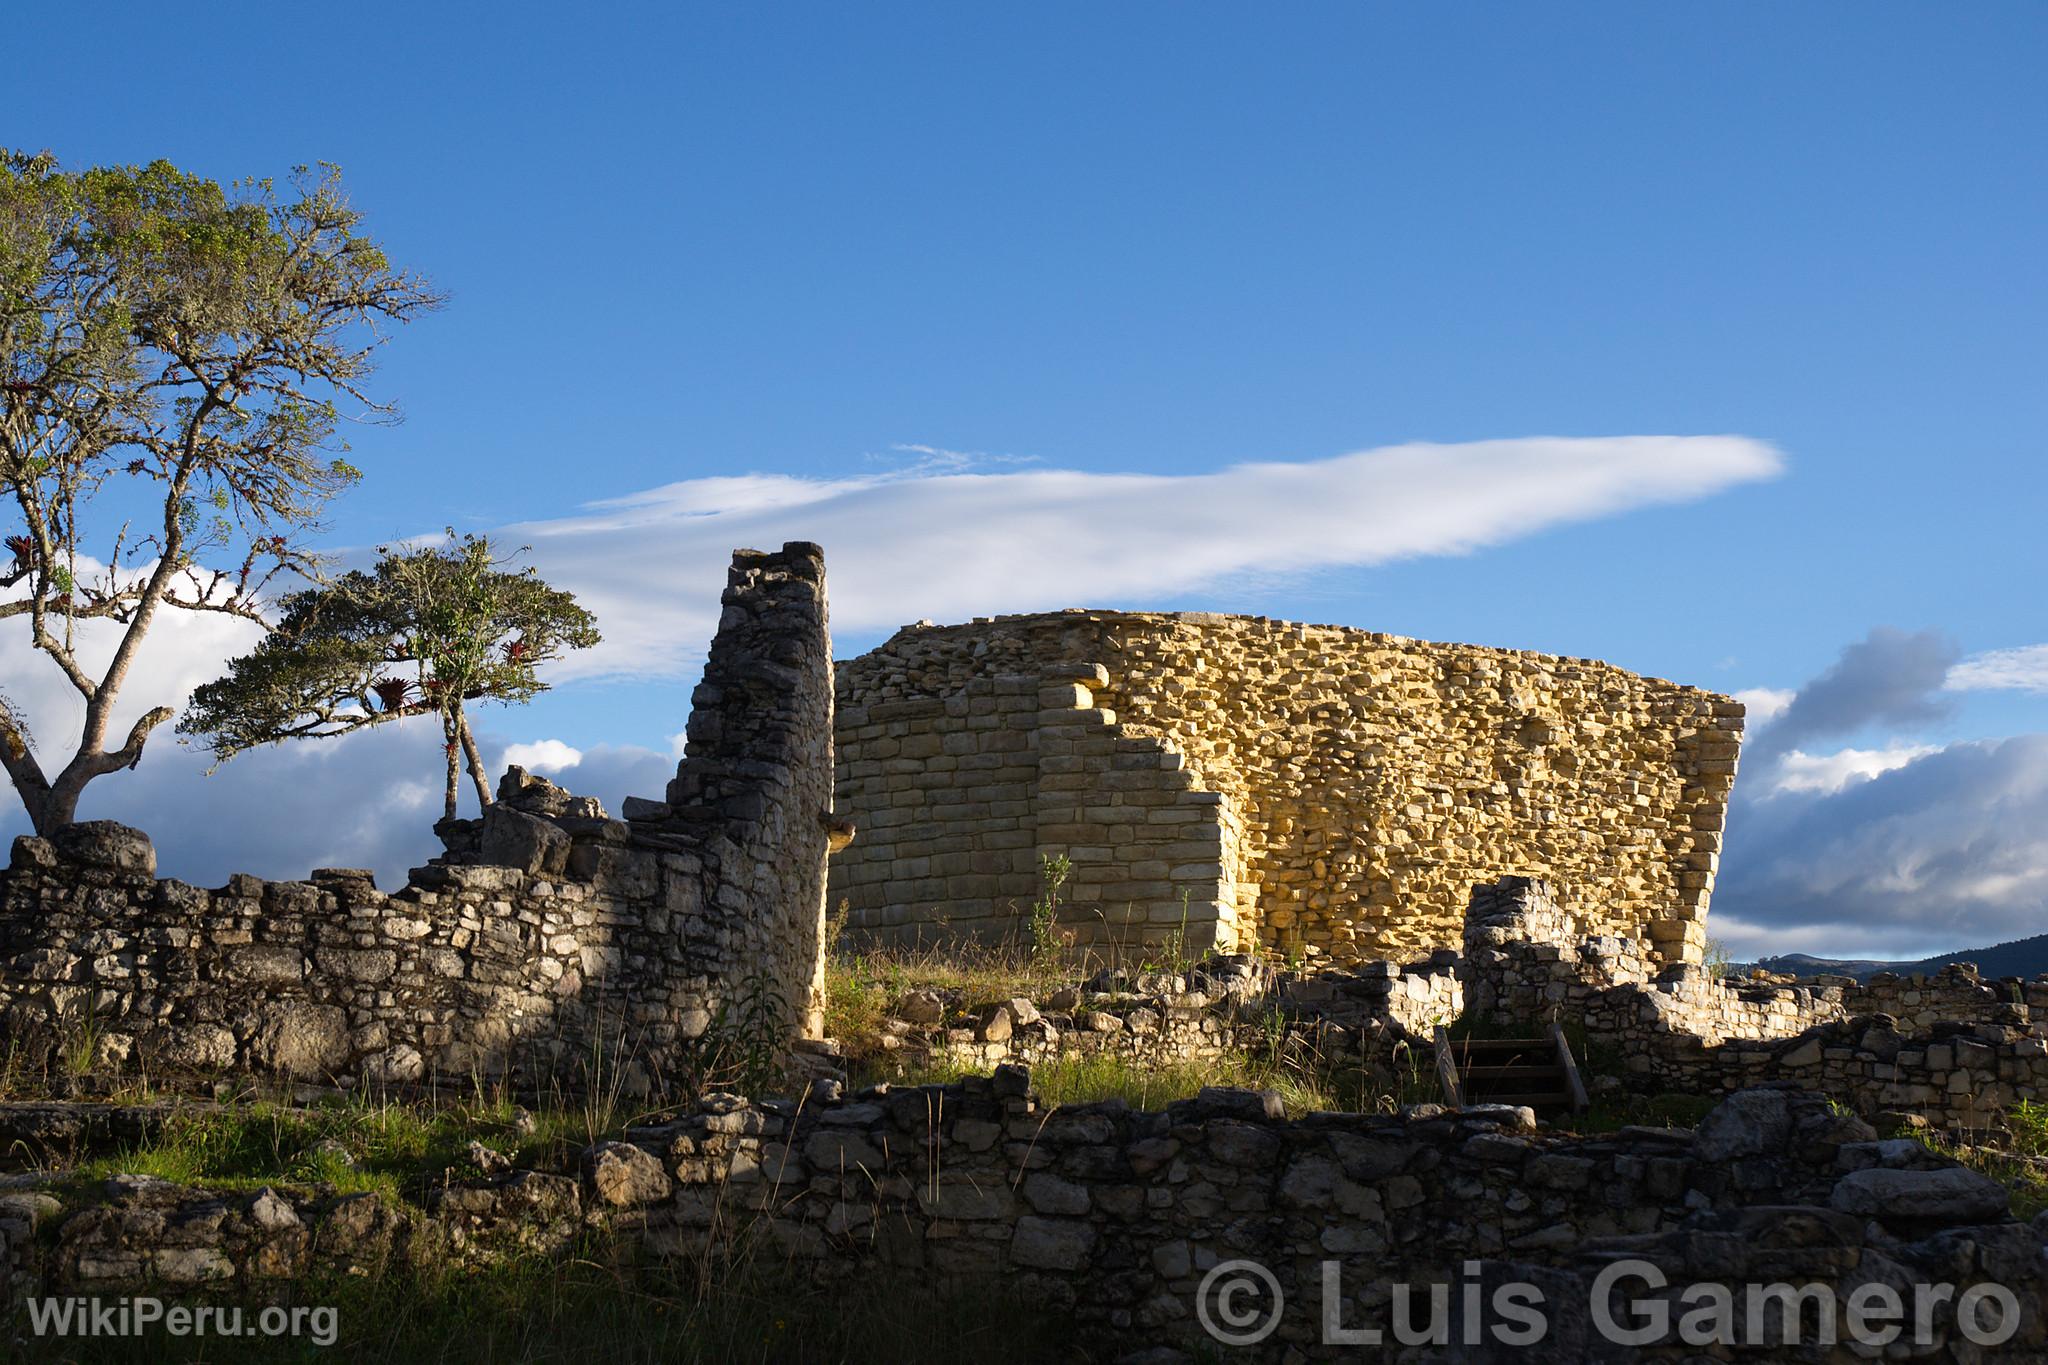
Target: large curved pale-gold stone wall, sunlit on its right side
x=1256, y=783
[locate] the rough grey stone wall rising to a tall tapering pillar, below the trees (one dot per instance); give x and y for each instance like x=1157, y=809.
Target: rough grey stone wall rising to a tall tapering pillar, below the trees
x=548, y=942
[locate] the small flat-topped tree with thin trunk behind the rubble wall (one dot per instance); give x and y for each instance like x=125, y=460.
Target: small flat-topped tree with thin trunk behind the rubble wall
x=454, y=617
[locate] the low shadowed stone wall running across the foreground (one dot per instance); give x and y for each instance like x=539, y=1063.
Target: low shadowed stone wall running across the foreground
x=1115, y=1219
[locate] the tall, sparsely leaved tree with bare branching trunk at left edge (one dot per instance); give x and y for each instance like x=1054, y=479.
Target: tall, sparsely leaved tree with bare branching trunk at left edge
x=175, y=361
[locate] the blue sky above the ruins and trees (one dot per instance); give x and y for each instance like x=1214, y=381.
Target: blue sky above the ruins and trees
x=693, y=243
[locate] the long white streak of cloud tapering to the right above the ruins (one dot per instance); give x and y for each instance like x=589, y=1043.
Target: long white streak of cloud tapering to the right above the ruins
x=947, y=545
